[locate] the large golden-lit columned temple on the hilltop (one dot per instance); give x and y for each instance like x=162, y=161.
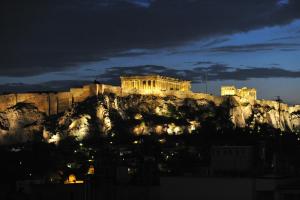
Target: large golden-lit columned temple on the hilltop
x=153, y=84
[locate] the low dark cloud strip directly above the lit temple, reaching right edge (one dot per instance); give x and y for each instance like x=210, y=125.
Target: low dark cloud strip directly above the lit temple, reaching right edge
x=213, y=72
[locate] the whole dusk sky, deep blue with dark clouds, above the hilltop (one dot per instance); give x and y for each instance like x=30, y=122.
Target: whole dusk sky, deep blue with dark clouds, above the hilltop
x=56, y=44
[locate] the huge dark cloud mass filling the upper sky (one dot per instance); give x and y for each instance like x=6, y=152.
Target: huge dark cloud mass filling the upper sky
x=52, y=35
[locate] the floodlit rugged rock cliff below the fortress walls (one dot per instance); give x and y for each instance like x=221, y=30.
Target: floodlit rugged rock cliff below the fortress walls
x=138, y=114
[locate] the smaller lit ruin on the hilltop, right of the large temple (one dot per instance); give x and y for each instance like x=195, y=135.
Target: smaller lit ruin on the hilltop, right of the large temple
x=247, y=93
